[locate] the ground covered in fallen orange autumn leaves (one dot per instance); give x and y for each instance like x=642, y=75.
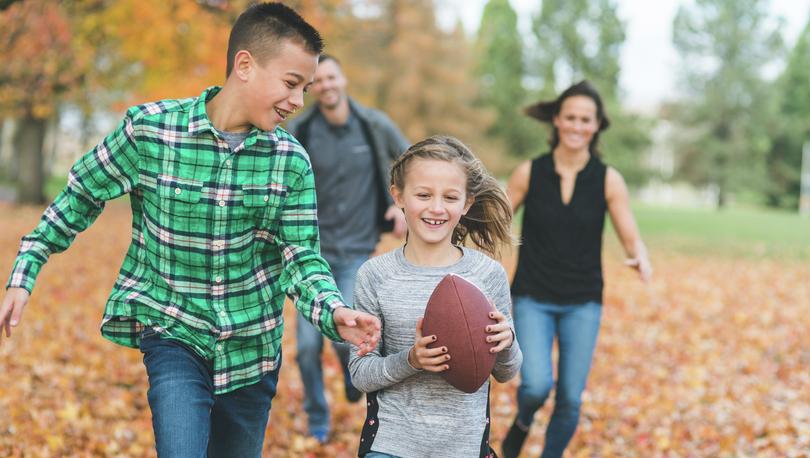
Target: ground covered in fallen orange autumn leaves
x=711, y=359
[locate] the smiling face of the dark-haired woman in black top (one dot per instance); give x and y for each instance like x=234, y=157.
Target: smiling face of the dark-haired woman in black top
x=577, y=122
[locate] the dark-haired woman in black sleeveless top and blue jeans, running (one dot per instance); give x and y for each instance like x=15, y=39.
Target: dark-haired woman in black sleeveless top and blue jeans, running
x=557, y=291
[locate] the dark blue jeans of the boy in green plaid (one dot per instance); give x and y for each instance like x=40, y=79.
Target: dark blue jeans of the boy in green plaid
x=189, y=420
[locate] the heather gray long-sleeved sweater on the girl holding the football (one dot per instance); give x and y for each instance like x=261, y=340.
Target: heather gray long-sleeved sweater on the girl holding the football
x=417, y=413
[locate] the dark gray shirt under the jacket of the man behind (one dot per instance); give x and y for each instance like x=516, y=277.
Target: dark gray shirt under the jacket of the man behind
x=343, y=165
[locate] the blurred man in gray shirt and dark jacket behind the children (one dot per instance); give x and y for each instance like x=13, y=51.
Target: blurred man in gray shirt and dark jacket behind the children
x=351, y=148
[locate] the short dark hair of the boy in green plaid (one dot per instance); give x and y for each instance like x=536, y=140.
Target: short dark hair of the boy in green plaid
x=261, y=28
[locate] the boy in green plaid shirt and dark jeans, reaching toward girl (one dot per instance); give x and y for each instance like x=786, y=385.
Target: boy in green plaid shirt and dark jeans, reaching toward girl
x=224, y=224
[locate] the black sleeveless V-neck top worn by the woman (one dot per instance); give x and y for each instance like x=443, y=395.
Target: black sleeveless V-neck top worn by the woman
x=560, y=259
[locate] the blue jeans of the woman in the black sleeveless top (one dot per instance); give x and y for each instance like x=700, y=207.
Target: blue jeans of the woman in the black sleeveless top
x=576, y=328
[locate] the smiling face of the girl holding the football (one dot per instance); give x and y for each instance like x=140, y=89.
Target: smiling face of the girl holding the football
x=433, y=199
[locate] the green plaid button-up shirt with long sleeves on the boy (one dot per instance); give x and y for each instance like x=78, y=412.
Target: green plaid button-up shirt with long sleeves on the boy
x=219, y=237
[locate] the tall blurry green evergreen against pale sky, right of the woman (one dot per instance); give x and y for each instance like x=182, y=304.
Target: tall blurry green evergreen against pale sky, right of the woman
x=724, y=45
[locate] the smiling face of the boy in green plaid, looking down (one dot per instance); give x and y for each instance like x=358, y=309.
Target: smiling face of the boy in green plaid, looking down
x=275, y=89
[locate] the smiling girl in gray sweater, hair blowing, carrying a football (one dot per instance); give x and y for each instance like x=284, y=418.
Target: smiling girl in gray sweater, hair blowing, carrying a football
x=446, y=196
